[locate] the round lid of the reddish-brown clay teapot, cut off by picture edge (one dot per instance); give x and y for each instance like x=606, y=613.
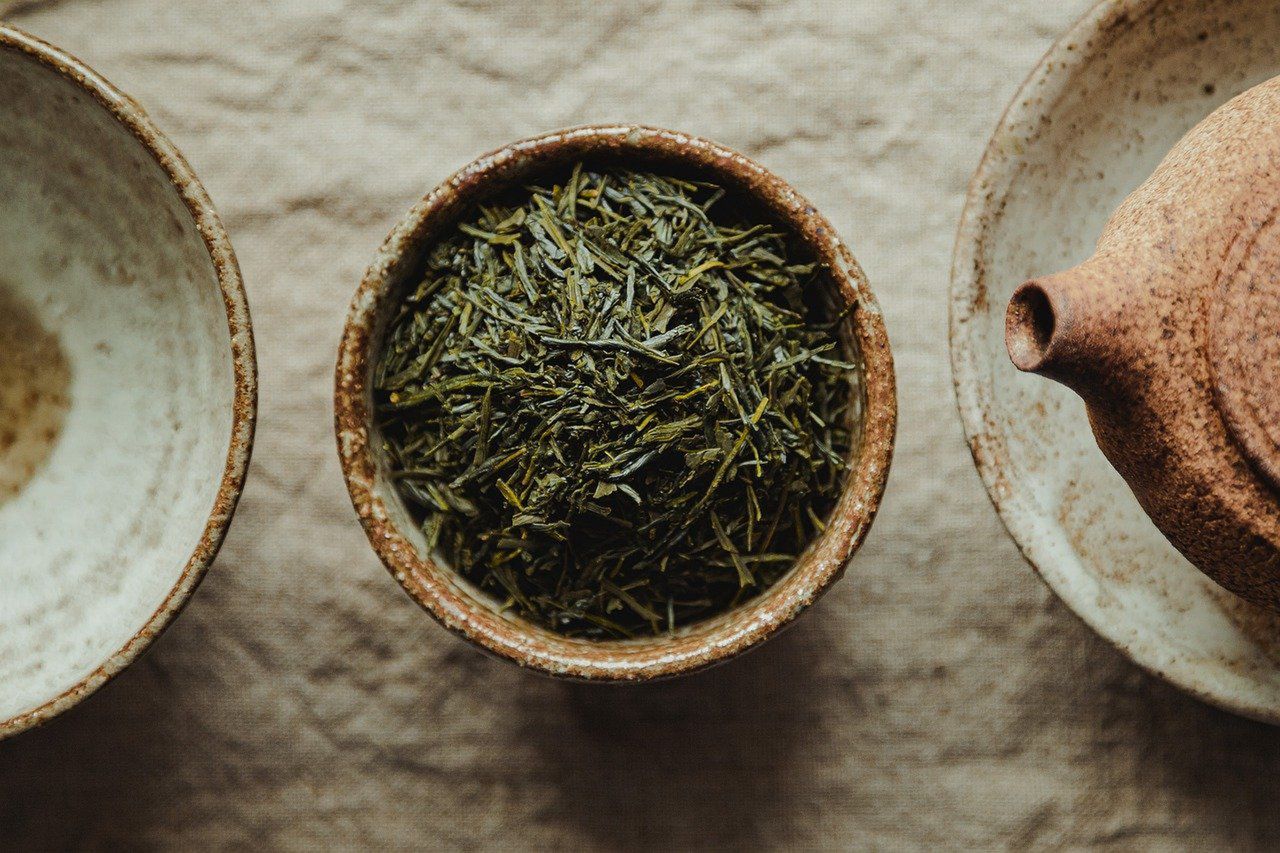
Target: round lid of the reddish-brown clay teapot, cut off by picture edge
x=1245, y=344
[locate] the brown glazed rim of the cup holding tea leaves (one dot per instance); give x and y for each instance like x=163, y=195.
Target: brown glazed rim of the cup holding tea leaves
x=454, y=604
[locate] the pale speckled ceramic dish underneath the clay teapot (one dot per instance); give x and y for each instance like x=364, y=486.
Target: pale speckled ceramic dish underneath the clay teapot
x=1092, y=122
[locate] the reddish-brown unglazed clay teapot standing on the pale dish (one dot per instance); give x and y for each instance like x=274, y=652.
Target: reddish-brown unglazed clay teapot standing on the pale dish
x=1171, y=334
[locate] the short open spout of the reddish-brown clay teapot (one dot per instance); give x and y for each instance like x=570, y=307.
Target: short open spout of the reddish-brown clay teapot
x=1069, y=329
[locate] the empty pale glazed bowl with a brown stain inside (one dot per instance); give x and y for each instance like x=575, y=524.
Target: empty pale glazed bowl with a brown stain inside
x=127, y=381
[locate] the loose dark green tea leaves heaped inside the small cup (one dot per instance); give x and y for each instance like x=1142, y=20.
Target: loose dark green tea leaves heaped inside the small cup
x=615, y=403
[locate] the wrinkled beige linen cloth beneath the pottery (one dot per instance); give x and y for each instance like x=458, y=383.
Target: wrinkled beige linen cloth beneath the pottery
x=940, y=696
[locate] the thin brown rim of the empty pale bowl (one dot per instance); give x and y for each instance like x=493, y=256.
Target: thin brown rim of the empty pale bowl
x=135, y=120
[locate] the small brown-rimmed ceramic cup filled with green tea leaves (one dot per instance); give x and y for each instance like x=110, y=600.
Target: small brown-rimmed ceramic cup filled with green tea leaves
x=615, y=404
